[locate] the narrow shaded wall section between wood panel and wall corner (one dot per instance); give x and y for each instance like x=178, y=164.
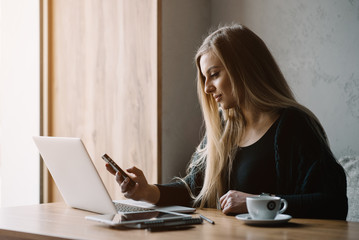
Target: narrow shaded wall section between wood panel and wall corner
x=184, y=22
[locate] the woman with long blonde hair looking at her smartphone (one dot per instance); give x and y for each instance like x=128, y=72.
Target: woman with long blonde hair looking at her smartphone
x=258, y=138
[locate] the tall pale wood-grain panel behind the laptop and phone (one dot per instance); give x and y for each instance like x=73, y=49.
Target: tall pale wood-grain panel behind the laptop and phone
x=103, y=82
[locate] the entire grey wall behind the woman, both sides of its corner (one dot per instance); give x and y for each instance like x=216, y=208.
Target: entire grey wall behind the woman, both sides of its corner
x=315, y=42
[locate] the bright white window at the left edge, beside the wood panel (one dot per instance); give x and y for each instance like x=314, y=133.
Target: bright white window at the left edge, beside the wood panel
x=19, y=102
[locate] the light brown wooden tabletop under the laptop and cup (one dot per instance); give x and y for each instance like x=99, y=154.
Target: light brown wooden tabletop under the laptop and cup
x=57, y=221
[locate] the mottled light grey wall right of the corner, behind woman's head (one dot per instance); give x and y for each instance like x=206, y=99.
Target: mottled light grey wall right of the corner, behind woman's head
x=316, y=44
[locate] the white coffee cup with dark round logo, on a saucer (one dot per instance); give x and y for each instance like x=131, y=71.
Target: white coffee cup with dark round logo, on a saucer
x=265, y=207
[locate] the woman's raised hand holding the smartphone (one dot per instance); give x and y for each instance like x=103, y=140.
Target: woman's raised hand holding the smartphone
x=142, y=191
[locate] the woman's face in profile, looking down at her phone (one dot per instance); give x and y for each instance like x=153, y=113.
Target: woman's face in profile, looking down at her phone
x=217, y=81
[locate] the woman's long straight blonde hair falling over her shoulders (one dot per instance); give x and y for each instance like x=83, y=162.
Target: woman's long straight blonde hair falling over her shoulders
x=257, y=82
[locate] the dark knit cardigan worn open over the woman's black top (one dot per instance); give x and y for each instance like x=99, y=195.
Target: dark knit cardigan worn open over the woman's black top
x=307, y=174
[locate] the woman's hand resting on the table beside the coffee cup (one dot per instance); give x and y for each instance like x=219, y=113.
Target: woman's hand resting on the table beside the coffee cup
x=234, y=202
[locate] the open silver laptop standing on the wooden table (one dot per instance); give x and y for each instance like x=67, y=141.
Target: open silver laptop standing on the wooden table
x=79, y=182
